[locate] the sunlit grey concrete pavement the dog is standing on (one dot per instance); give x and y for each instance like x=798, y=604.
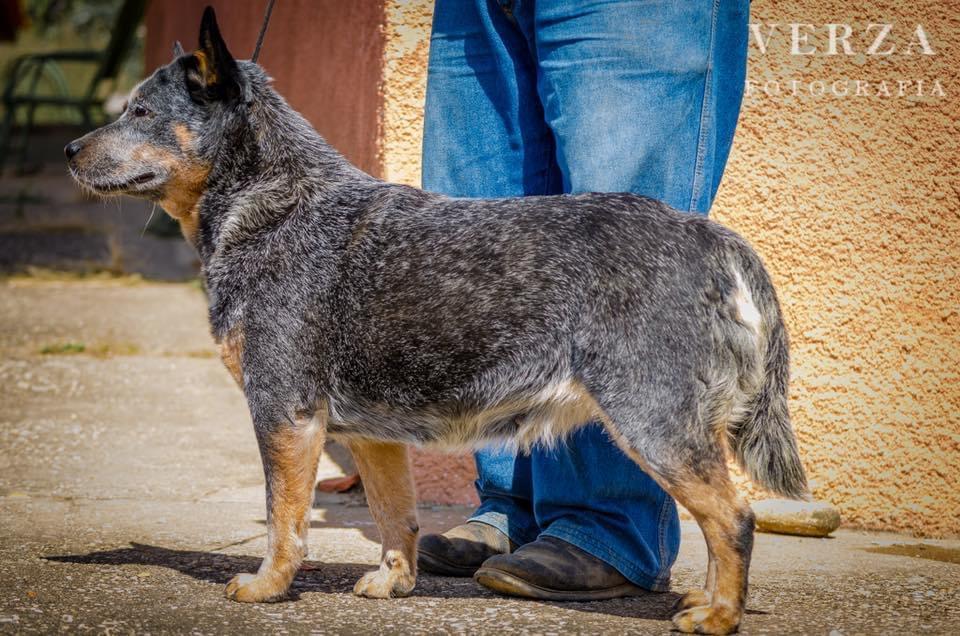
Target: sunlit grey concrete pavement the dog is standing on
x=130, y=492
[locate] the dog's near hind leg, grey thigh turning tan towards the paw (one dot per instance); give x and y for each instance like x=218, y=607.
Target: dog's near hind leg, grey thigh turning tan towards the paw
x=695, y=474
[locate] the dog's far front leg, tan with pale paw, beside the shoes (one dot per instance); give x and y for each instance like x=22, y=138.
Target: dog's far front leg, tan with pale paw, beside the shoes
x=385, y=472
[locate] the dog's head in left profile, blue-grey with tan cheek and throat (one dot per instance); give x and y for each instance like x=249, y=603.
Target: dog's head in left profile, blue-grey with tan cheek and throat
x=163, y=145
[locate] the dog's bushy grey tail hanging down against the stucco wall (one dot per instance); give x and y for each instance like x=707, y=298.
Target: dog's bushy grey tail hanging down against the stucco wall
x=763, y=440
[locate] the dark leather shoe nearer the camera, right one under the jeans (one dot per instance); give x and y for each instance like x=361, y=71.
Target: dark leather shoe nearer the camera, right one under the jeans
x=554, y=570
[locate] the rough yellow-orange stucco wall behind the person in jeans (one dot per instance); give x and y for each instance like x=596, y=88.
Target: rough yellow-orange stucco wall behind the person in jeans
x=854, y=203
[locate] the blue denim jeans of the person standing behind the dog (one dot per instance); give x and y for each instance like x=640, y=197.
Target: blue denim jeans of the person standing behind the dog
x=532, y=97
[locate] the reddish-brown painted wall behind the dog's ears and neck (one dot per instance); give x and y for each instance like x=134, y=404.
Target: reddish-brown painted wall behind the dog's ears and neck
x=324, y=55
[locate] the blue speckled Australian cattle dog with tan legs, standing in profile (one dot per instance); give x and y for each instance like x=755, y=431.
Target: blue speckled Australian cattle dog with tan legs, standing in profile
x=385, y=316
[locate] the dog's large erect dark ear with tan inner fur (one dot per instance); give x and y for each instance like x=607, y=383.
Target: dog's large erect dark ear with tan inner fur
x=212, y=73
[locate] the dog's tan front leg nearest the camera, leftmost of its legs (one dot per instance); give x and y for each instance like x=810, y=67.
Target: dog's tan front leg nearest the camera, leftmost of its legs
x=290, y=450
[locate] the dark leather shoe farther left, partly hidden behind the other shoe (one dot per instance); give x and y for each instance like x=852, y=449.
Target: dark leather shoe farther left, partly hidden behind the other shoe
x=461, y=550
